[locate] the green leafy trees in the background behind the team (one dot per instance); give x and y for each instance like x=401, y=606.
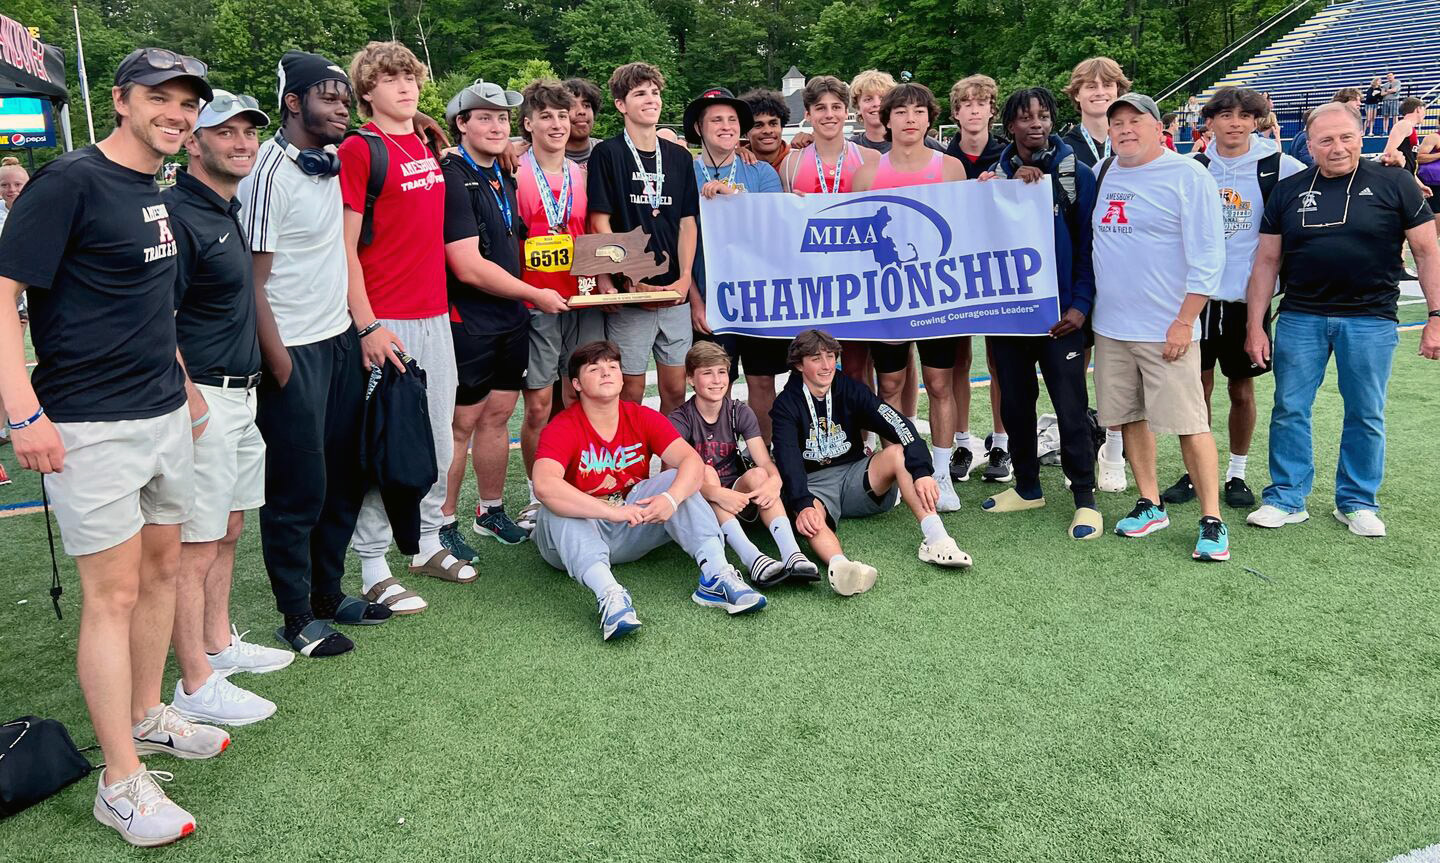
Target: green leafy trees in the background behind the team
x=698, y=44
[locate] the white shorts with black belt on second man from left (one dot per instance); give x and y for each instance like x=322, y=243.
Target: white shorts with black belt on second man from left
x=230, y=465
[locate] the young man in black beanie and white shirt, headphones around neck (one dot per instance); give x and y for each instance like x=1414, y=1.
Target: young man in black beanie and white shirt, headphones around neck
x=313, y=394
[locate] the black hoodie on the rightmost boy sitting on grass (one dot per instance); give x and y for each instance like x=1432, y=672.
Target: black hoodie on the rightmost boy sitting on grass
x=855, y=410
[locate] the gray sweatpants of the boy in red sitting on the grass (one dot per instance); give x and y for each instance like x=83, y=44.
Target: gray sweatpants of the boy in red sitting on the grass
x=575, y=545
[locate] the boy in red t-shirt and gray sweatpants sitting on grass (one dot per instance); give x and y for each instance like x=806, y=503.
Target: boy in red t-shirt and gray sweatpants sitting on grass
x=600, y=505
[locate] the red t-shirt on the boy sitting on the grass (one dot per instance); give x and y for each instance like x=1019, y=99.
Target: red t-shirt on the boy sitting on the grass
x=600, y=468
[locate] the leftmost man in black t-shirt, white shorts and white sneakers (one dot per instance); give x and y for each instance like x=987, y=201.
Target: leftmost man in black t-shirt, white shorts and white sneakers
x=109, y=419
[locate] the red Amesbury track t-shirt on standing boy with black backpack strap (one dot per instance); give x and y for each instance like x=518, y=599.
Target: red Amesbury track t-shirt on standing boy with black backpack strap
x=405, y=266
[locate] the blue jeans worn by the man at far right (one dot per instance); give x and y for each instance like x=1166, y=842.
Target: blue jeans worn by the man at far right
x=1364, y=349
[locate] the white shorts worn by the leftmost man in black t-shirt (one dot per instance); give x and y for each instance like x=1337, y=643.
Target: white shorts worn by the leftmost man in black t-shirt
x=120, y=478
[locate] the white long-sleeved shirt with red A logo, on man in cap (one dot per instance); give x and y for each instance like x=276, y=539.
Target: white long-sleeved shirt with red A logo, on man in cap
x=1158, y=236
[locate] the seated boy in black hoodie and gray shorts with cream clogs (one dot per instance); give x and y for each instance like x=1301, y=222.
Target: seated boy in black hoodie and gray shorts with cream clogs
x=820, y=424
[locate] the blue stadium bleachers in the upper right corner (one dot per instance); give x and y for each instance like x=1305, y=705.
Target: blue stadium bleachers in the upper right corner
x=1347, y=45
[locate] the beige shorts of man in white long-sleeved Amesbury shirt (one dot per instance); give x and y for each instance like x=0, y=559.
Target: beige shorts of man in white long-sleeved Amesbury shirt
x=1134, y=383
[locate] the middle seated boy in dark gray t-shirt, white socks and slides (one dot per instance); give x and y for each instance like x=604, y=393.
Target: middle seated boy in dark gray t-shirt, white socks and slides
x=738, y=492
